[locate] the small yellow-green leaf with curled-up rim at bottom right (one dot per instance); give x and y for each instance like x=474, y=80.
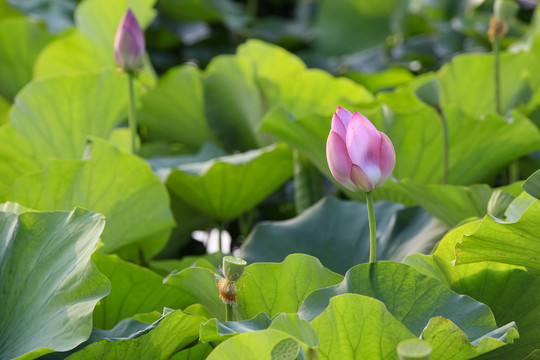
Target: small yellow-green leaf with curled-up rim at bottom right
x=450, y=343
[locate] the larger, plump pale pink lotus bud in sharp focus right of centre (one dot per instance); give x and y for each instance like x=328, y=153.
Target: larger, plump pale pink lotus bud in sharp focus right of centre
x=359, y=156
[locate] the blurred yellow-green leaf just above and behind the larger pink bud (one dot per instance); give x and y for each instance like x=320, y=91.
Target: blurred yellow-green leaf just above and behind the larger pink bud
x=316, y=92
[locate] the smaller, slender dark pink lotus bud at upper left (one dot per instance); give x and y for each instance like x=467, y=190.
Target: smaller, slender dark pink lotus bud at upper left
x=129, y=48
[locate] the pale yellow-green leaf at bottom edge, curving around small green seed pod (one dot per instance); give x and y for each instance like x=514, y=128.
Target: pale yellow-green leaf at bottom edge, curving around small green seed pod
x=252, y=345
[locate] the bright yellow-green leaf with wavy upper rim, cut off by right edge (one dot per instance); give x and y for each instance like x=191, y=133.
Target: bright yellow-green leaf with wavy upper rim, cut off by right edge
x=515, y=243
